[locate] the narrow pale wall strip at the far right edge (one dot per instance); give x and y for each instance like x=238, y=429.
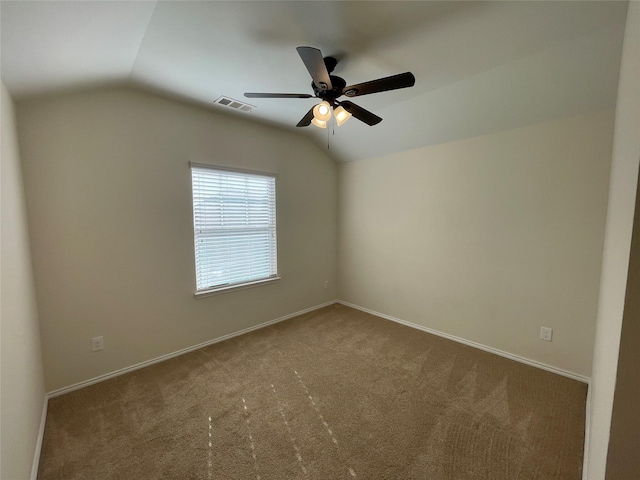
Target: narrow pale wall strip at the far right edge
x=615, y=260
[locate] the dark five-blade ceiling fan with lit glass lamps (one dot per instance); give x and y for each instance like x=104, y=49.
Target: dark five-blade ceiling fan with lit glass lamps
x=329, y=88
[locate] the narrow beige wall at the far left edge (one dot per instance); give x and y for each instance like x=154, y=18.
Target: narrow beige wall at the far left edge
x=22, y=382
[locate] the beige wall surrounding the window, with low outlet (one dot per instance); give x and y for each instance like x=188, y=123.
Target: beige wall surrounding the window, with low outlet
x=109, y=201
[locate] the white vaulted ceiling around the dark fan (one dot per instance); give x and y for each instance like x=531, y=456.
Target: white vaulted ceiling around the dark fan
x=480, y=67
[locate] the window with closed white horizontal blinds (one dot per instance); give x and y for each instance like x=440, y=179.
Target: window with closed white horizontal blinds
x=234, y=218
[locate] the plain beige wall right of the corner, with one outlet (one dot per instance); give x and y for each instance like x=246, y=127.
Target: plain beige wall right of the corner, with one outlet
x=487, y=239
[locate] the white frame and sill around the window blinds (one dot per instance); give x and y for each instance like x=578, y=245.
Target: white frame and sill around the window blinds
x=250, y=283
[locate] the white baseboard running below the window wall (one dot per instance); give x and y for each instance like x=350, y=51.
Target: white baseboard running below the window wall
x=122, y=371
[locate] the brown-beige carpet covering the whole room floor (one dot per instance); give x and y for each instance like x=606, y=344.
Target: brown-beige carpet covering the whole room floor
x=333, y=394
